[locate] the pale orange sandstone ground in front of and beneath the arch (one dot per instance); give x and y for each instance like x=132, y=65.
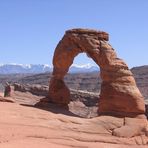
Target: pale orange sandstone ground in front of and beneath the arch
x=25, y=124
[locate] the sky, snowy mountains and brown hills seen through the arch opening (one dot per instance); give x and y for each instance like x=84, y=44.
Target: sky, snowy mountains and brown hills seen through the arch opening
x=83, y=77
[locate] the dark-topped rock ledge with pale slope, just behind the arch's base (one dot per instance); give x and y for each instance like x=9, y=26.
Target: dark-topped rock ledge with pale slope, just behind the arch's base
x=82, y=103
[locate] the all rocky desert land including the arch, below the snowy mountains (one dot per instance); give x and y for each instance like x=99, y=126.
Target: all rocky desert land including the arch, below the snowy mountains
x=103, y=109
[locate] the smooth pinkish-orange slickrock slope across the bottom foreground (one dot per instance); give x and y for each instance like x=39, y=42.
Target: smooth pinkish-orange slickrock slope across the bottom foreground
x=30, y=127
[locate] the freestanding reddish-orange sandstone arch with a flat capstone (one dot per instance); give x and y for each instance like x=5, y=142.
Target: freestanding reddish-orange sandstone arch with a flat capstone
x=119, y=93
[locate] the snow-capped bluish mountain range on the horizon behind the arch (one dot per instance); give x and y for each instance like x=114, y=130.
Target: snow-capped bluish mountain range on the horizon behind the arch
x=41, y=68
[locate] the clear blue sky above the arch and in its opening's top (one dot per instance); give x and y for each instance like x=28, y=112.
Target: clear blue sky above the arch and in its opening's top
x=31, y=29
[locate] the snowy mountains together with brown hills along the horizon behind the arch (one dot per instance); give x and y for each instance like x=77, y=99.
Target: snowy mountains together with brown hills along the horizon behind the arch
x=80, y=79
